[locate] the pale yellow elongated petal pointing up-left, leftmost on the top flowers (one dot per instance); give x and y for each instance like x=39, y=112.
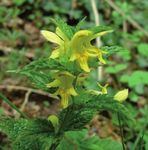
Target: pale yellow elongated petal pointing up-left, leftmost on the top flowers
x=52, y=37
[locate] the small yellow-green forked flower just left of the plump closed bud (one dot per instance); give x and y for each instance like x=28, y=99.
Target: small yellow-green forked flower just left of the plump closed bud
x=103, y=90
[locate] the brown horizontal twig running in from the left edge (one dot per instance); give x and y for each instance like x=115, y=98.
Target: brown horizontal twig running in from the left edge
x=40, y=92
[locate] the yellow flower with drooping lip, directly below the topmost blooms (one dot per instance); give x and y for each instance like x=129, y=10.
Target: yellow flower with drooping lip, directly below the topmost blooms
x=64, y=82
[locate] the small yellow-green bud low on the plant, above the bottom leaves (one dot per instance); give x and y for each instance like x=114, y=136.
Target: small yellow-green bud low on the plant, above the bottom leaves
x=55, y=121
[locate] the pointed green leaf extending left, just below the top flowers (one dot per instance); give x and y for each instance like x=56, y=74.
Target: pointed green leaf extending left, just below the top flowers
x=38, y=71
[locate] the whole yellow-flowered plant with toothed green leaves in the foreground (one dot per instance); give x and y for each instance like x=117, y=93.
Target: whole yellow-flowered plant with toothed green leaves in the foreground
x=63, y=74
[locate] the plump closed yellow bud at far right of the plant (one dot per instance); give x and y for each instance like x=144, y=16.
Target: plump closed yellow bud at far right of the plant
x=121, y=95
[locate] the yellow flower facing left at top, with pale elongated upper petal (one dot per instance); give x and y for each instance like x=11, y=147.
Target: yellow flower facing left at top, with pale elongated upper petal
x=60, y=39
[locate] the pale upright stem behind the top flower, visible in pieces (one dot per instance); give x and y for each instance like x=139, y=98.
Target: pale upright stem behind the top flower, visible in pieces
x=97, y=22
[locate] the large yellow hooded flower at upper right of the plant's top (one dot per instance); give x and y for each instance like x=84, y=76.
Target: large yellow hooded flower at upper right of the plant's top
x=82, y=49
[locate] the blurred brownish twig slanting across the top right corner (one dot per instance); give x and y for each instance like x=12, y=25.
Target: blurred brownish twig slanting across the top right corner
x=129, y=18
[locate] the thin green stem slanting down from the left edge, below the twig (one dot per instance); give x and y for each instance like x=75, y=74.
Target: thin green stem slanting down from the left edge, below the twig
x=5, y=99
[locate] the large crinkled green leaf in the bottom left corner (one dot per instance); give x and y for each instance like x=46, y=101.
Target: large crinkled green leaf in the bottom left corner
x=28, y=134
